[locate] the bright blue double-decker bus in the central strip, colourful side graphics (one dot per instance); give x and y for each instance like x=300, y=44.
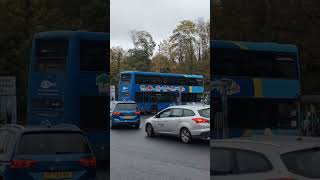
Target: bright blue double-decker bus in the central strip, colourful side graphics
x=155, y=91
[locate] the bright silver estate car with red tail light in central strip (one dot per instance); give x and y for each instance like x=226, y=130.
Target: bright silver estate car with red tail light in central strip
x=185, y=121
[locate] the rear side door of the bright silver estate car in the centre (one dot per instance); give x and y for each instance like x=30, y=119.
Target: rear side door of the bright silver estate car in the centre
x=171, y=125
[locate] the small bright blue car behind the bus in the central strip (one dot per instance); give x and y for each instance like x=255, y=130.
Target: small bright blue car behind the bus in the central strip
x=124, y=113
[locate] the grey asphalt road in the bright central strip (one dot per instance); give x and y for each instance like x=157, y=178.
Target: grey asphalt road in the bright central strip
x=137, y=157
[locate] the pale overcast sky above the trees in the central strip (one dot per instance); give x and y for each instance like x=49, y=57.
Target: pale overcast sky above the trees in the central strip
x=158, y=17
